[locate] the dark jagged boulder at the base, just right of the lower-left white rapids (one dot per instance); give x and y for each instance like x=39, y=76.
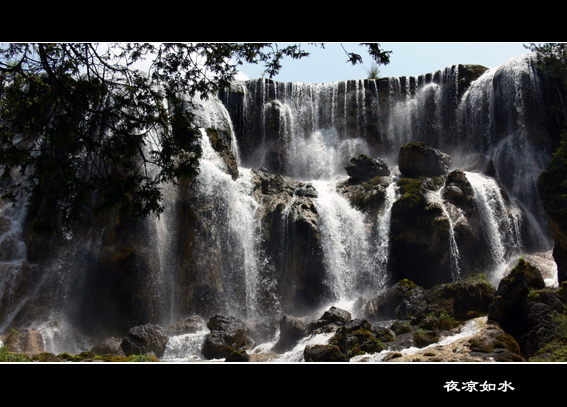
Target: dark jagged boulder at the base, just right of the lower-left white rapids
x=225, y=331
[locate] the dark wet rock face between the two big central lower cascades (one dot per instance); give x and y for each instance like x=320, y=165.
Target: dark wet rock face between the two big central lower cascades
x=288, y=220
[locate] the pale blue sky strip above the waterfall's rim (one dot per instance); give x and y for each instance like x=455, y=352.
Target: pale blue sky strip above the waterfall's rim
x=407, y=59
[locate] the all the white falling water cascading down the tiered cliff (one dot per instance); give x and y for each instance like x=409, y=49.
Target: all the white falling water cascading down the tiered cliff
x=309, y=132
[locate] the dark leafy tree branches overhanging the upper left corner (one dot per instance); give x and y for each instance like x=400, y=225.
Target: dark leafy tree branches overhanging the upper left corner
x=83, y=131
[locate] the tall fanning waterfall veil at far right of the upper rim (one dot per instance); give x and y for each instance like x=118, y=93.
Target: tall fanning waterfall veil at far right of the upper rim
x=501, y=117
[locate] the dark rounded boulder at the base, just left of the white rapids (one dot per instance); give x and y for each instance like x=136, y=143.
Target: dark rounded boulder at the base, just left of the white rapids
x=145, y=339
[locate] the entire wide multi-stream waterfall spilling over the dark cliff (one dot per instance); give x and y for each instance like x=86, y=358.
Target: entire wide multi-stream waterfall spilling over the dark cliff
x=308, y=133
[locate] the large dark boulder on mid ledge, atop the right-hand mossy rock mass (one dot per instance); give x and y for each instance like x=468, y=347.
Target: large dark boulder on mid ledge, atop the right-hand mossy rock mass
x=419, y=160
